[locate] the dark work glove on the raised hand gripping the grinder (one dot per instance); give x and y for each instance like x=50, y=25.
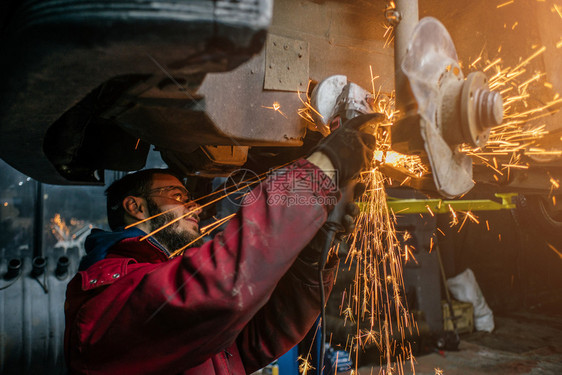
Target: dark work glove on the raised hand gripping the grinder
x=349, y=149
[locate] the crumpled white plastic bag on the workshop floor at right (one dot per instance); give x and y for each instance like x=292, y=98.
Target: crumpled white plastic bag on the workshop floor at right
x=465, y=289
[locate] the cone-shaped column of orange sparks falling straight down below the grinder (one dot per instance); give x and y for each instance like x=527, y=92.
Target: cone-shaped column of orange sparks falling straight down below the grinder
x=377, y=294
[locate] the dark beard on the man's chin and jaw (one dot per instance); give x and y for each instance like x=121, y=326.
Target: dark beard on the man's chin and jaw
x=170, y=236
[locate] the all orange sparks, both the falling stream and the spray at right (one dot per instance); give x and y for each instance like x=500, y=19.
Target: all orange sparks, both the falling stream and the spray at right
x=375, y=301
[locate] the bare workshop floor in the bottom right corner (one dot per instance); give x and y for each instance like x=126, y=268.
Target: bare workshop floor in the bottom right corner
x=523, y=342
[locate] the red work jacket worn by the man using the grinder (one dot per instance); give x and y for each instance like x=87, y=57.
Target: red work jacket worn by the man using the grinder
x=230, y=306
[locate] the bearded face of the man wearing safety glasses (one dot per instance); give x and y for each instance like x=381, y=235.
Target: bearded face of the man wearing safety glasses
x=167, y=194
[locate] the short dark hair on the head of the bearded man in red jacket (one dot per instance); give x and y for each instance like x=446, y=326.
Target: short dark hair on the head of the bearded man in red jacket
x=137, y=184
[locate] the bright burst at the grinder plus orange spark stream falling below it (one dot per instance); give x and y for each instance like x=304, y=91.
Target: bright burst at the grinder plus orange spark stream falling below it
x=376, y=299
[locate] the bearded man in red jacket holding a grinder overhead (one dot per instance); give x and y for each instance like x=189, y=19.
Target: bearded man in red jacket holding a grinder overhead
x=229, y=306
